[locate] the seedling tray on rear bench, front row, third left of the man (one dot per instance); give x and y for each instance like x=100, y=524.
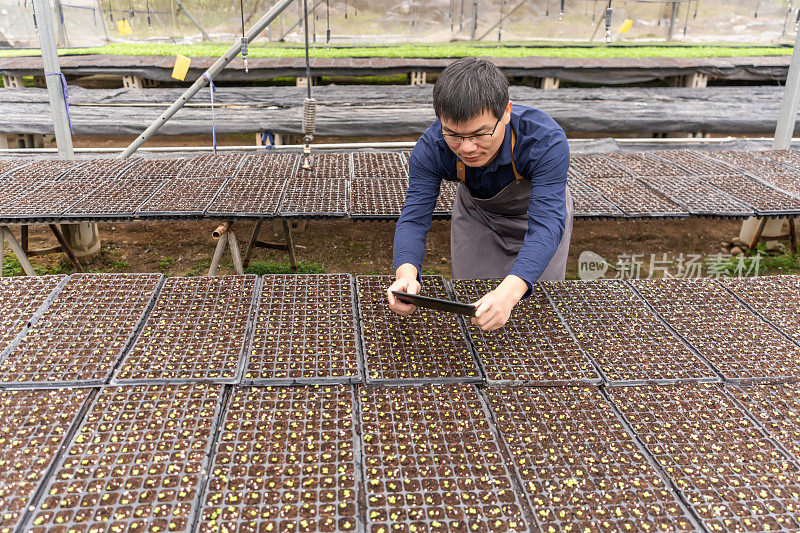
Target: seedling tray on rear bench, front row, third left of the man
x=248, y=197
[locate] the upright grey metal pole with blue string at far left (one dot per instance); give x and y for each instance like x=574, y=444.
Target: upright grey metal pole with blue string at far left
x=55, y=89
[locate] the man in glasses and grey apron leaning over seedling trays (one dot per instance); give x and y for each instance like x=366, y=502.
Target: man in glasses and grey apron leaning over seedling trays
x=512, y=216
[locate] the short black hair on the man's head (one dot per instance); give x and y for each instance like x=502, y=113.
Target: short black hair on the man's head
x=468, y=87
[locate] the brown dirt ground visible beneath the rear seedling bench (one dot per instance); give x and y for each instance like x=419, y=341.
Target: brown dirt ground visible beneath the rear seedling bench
x=181, y=248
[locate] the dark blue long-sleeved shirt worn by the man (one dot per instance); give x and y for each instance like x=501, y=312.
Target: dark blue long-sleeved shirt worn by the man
x=541, y=154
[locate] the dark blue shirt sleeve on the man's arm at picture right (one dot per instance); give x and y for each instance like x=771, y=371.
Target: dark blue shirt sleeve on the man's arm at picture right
x=547, y=210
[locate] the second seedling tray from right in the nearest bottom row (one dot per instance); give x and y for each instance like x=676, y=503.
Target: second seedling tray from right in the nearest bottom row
x=732, y=475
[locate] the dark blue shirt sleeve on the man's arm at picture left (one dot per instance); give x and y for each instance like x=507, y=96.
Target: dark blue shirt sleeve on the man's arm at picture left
x=415, y=219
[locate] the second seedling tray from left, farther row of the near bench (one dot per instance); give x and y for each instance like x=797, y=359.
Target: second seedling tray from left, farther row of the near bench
x=83, y=332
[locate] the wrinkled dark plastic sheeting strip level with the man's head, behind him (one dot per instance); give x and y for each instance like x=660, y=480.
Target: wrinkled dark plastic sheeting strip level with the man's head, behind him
x=368, y=110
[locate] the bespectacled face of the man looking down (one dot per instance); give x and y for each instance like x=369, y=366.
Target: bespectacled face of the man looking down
x=480, y=150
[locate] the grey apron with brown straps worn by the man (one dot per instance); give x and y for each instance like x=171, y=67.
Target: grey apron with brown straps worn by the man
x=486, y=234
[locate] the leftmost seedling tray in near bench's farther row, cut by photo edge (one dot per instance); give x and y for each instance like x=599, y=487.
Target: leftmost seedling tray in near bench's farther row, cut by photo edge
x=22, y=300
